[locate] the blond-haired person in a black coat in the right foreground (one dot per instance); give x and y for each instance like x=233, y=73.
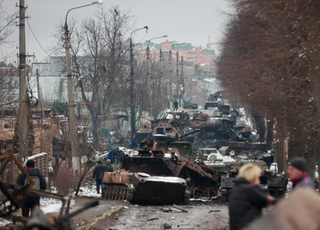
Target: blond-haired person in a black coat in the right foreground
x=247, y=199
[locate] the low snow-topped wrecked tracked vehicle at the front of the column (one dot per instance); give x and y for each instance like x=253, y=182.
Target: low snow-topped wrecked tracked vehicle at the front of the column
x=144, y=189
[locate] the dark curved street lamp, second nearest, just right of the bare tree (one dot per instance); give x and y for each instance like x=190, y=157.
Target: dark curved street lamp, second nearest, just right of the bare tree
x=133, y=117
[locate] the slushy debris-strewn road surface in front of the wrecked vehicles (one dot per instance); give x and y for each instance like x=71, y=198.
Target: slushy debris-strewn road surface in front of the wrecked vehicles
x=118, y=214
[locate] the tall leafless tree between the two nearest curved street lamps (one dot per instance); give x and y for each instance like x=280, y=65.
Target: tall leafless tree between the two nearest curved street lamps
x=105, y=47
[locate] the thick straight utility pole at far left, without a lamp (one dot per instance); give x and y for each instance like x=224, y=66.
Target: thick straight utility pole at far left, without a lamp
x=23, y=97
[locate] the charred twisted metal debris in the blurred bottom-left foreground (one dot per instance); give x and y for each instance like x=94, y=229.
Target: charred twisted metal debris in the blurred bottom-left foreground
x=13, y=196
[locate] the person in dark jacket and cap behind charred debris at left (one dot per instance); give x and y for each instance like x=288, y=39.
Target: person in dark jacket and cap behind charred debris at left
x=40, y=183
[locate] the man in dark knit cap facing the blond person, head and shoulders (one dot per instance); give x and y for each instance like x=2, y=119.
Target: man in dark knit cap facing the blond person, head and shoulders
x=297, y=173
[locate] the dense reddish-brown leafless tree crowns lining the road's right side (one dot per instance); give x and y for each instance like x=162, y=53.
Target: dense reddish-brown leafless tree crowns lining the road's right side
x=269, y=60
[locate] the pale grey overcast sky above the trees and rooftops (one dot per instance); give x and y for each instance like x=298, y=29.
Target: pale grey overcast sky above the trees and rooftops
x=182, y=20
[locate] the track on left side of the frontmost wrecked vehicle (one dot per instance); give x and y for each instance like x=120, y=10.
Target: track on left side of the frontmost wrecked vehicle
x=116, y=193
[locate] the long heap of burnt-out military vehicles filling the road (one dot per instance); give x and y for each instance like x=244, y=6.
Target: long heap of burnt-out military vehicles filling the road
x=166, y=168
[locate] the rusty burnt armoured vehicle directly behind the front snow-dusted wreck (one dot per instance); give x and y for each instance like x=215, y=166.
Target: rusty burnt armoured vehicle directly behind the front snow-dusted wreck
x=161, y=158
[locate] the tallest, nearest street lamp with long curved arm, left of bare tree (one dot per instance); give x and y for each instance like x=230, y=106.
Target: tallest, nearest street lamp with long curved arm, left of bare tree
x=71, y=104
